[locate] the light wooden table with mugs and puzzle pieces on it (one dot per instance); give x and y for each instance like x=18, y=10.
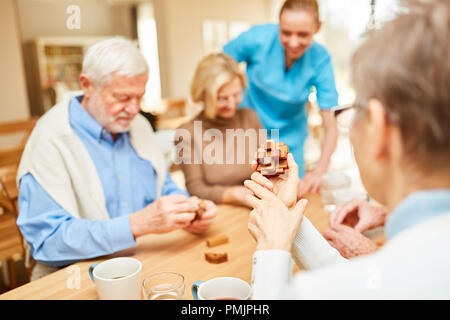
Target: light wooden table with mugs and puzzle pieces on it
x=177, y=251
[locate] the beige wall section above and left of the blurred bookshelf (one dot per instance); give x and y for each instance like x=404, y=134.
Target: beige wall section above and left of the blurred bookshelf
x=48, y=18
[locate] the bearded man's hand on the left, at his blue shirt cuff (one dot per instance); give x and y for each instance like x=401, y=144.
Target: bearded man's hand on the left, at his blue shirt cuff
x=165, y=214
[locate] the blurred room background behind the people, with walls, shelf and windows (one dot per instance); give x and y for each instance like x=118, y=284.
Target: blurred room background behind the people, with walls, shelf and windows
x=43, y=42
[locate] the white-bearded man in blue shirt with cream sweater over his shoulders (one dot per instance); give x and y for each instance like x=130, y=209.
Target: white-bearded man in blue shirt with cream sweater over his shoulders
x=91, y=179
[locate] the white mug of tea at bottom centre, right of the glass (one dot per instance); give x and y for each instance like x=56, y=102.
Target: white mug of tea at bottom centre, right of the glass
x=224, y=288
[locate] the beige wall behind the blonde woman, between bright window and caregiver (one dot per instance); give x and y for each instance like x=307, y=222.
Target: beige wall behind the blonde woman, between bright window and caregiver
x=179, y=27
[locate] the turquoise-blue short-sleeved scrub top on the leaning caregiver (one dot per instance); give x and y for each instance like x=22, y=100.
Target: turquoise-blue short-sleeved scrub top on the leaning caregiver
x=278, y=96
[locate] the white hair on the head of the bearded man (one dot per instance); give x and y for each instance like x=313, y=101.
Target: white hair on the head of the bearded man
x=115, y=55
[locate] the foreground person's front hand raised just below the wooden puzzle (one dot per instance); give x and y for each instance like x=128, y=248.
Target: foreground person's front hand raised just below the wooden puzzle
x=271, y=223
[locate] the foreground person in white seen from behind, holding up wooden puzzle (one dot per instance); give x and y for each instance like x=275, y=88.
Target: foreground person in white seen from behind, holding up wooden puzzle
x=401, y=141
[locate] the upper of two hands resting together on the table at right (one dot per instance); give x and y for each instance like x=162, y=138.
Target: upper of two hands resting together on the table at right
x=358, y=214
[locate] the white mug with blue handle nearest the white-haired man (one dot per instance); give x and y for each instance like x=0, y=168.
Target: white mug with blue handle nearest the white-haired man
x=117, y=278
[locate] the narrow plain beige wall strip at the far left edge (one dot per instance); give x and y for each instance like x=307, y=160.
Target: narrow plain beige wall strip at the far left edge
x=14, y=104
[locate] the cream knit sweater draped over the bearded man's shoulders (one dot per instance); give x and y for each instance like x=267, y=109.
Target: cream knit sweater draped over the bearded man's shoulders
x=61, y=164
